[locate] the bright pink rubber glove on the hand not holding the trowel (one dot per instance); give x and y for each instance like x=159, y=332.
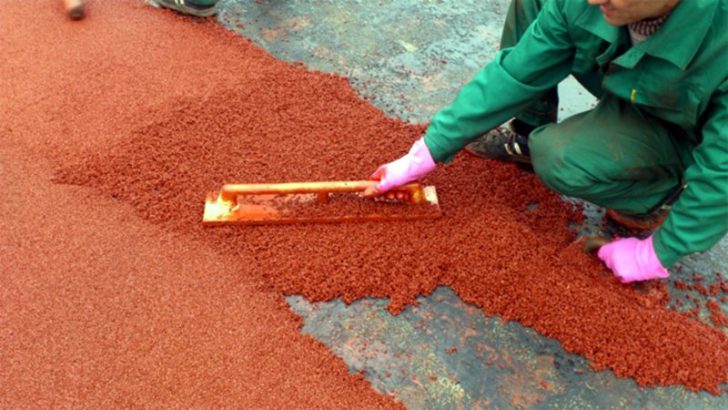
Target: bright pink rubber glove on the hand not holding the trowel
x=632, y=260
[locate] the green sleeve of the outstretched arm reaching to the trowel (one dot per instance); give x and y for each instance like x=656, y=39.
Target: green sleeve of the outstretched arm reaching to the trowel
x=541, y=59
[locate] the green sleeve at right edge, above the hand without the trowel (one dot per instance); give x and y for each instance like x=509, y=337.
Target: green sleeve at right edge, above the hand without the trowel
x=699, y=219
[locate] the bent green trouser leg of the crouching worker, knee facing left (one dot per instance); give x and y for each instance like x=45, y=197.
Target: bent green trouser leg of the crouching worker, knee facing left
x=614, y=156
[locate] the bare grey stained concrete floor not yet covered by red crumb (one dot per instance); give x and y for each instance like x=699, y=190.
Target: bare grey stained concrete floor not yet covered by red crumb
x=410, y=58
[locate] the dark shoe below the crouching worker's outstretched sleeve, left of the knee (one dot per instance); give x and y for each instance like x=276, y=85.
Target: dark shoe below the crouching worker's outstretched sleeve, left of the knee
x=504, y=143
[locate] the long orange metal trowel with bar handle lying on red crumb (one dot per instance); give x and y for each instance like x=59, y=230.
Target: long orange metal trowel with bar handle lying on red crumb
x=317, y=202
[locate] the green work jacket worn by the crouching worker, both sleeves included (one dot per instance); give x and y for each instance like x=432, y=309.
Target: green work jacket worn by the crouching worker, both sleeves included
x=679, y=74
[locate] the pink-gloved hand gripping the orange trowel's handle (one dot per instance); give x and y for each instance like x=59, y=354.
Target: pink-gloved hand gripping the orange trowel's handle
x=416, y=164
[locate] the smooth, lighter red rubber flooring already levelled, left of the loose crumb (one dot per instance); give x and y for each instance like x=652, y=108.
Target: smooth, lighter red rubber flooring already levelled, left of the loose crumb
x=98, y=308
